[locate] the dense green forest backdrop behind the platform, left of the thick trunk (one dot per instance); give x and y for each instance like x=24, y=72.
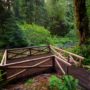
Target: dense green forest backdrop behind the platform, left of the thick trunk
x=53, y=16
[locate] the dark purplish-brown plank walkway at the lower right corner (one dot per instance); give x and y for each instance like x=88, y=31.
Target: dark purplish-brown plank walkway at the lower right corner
x=82, y=75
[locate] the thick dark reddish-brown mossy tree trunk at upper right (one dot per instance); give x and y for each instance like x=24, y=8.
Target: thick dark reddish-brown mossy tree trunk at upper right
x=82, y=21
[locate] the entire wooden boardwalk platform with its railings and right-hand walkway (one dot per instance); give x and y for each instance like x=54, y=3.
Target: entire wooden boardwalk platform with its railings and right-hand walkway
x=29, y=61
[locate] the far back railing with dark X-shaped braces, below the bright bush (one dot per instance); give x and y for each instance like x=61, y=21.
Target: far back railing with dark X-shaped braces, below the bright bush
x=27, y=51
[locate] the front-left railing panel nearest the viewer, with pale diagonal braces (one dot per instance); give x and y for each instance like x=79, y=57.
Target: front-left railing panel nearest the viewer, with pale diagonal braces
x=28, y=67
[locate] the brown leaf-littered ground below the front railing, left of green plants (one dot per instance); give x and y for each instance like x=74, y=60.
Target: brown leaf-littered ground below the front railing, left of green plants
x=40, y=82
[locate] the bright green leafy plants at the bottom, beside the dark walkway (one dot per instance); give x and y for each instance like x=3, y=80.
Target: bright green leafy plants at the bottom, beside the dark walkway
x=67, y=82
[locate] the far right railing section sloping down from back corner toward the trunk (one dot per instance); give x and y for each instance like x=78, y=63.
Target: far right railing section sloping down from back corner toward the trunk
x=67, y=56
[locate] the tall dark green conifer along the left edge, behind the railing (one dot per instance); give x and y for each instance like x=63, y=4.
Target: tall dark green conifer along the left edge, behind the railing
x=10, y=35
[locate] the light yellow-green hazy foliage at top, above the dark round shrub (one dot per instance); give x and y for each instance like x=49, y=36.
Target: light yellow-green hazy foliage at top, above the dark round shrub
x=56, y=8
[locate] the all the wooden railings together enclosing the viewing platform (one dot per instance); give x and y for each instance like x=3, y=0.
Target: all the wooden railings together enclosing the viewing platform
x=59, y=58
